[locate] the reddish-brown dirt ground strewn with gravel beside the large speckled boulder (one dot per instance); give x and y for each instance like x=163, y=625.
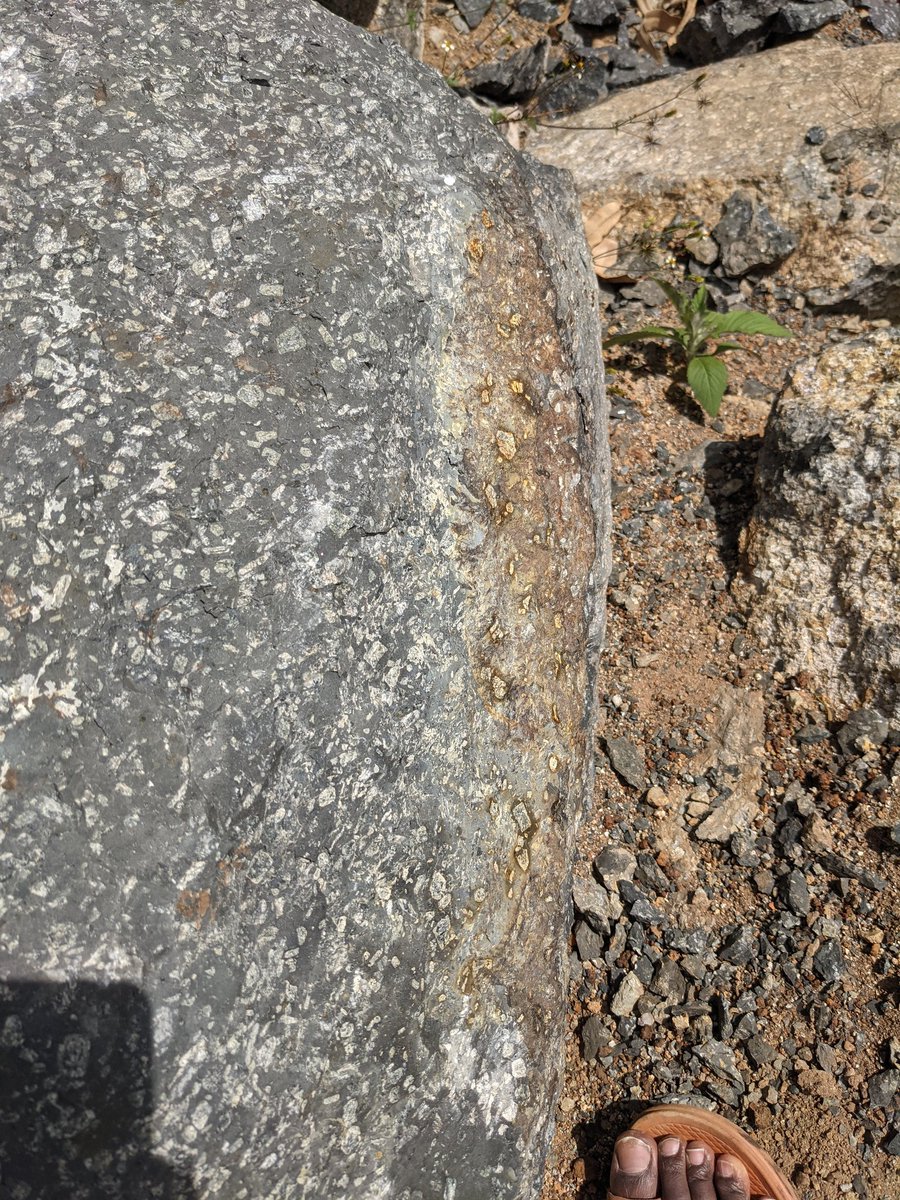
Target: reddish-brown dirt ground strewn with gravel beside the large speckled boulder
x=676, y=640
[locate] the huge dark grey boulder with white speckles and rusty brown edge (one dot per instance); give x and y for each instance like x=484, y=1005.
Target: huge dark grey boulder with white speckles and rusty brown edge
x=303, y=494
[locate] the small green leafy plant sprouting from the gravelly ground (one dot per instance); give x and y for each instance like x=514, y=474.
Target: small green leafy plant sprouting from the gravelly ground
x=707, y=375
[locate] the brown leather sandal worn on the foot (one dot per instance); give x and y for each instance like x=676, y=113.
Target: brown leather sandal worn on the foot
x=723, y=1138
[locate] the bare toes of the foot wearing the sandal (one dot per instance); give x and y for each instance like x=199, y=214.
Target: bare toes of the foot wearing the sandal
x=669, y=1168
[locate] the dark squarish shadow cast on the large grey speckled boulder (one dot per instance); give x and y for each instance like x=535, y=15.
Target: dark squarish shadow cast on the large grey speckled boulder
x=77, y=1095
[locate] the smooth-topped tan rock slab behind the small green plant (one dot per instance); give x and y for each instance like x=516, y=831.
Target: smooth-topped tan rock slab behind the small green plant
x=742, y=127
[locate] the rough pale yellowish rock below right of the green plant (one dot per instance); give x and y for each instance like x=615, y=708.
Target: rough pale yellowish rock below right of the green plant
x=823, y=550
